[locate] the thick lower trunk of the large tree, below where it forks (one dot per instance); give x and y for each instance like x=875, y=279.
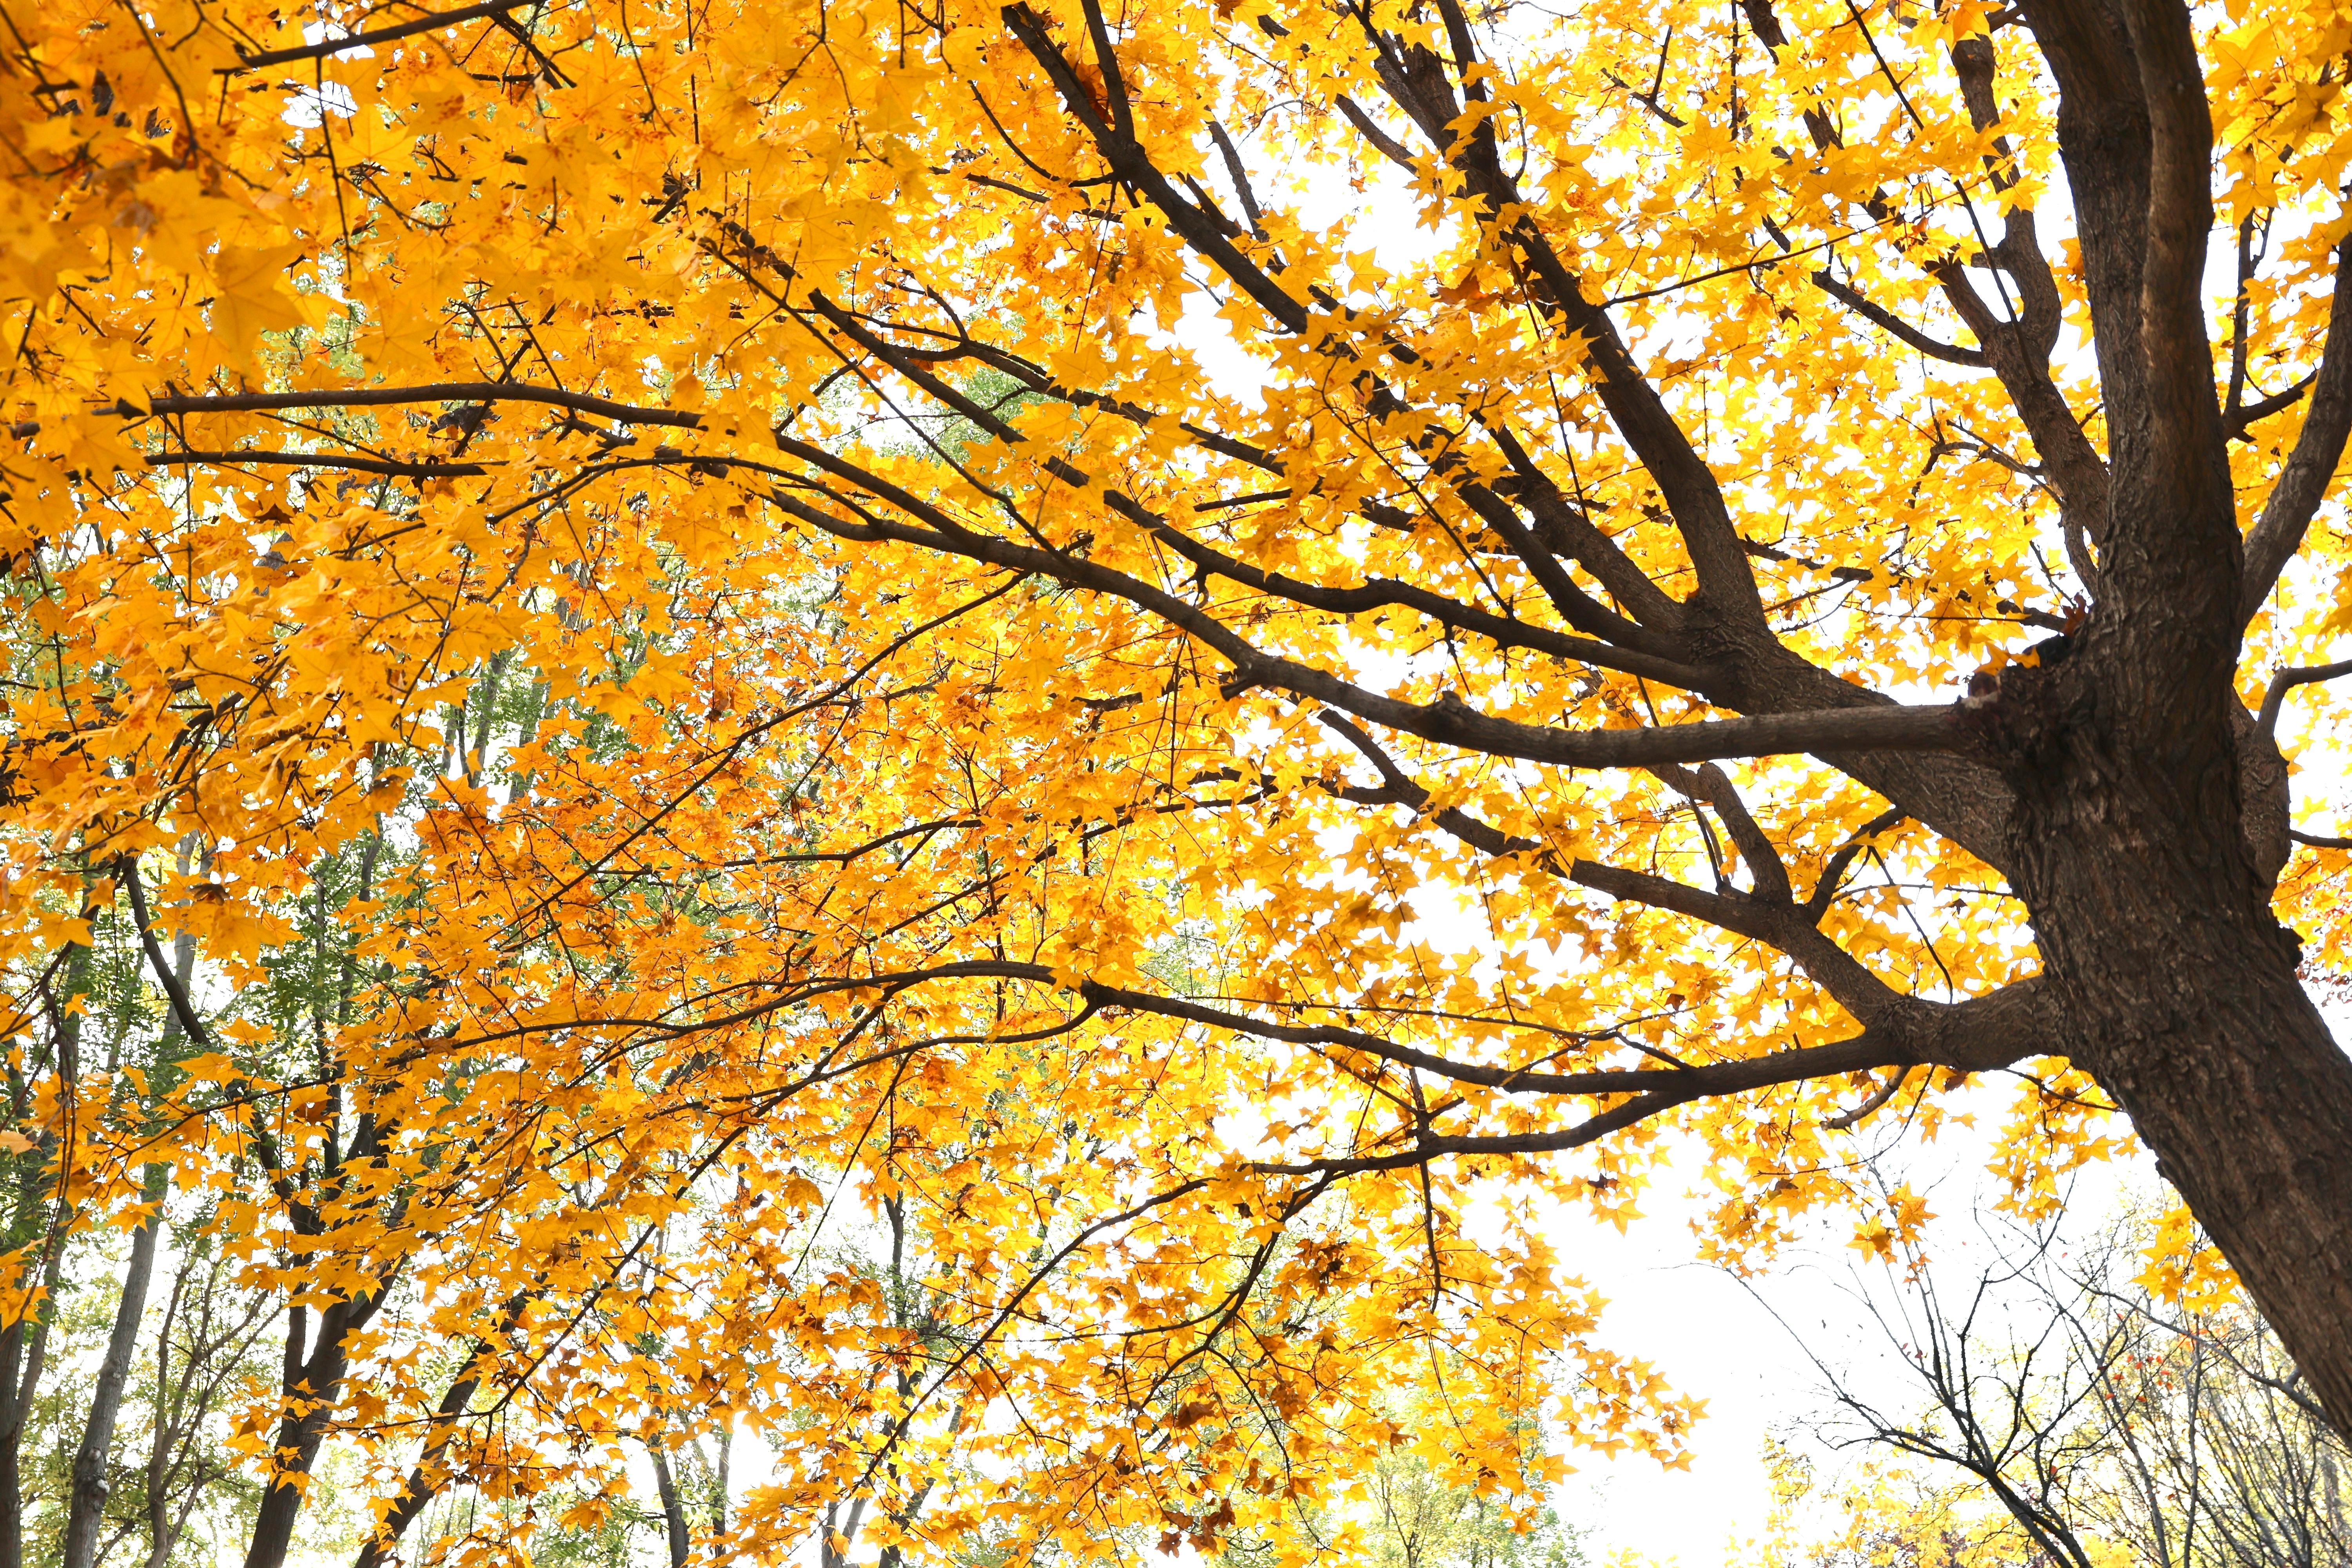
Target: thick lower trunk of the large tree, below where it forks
x=2184, y=1003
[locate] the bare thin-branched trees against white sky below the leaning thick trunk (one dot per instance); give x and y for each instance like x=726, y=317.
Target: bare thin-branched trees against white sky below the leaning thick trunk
x=2083, y=1412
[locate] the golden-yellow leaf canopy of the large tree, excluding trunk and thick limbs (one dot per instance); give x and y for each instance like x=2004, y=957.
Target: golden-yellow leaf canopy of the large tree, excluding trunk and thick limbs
x=403, y=469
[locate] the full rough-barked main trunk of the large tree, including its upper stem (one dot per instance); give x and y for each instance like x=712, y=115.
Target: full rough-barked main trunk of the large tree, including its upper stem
x=2144, y=836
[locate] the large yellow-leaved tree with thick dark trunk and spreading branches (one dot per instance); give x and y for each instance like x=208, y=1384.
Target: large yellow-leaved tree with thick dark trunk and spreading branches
x=730, y=504
